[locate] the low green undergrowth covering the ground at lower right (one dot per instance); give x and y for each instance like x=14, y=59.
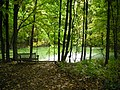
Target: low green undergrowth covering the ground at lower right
x=108, y=76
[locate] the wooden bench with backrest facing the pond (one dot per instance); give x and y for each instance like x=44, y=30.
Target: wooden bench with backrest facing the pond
x=26, y=57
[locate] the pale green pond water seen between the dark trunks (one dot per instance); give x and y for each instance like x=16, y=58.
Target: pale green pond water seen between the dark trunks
x=50, y=53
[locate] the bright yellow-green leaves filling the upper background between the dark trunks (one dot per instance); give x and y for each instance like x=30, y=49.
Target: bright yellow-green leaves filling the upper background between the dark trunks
x=47, y=15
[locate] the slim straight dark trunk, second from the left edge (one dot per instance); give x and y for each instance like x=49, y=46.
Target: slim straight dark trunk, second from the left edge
x=7, y=31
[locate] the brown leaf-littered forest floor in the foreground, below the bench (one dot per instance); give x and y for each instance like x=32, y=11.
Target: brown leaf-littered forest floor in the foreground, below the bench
x=40, y=76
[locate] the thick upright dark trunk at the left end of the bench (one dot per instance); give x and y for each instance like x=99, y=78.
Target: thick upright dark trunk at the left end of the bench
x=15, y=33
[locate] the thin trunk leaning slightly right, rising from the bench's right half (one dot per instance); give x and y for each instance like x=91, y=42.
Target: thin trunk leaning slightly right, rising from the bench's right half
x=32, y=33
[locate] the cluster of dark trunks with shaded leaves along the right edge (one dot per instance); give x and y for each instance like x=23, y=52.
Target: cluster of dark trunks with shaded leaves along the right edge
x=112, y=24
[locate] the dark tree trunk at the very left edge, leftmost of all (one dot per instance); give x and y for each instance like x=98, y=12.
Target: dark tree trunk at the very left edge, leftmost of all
x=1, y=33
